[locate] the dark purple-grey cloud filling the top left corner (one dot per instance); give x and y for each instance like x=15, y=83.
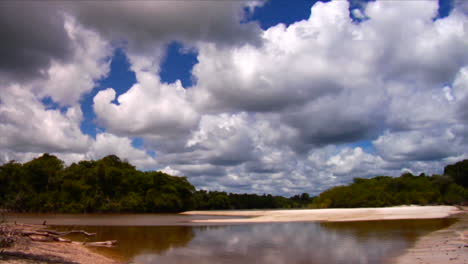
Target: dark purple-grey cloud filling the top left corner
x=32, y=33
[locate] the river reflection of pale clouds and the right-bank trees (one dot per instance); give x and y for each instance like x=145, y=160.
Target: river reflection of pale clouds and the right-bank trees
x=364, y=242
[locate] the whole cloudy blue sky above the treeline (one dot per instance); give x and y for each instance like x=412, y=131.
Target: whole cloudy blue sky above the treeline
x=279, y=97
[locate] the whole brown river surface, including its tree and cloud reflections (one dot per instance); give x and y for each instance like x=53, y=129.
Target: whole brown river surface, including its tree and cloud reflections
x=171, y=238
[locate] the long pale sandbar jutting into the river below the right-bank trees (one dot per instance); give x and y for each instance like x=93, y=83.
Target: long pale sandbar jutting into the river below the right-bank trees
x=331, y=215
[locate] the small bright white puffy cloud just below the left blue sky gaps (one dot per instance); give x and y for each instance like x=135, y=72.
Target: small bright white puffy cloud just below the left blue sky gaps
x=147, y=108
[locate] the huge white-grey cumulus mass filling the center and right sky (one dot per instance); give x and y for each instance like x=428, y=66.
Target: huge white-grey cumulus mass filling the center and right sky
x=261, y=116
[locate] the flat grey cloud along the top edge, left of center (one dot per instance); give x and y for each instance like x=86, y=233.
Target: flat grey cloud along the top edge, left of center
x=144, y=23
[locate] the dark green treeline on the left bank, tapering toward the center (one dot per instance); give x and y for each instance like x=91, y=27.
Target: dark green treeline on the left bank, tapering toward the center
x=45, y=184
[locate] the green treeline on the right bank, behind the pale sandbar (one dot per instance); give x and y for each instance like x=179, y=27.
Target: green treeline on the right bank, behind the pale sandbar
x=449, y=188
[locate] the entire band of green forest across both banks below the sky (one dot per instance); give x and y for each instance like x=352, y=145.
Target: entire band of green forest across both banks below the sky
x=110, y=184
